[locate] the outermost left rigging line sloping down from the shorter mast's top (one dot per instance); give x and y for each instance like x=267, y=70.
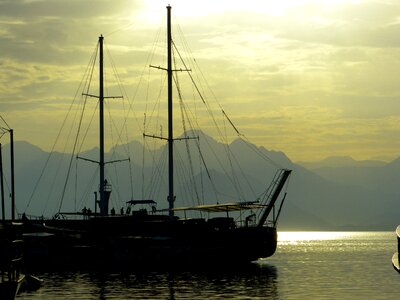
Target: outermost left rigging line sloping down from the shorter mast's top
x=93, y=58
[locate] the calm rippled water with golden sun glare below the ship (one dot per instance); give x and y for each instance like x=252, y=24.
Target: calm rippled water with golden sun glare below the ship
x=307, y=265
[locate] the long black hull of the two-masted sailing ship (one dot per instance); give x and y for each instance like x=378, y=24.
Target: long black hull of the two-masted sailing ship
x=128, y=243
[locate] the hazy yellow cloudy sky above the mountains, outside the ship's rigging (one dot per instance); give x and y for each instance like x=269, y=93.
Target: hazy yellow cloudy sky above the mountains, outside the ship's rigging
x=310, y=78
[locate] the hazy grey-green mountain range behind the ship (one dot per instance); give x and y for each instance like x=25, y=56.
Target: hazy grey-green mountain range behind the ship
x=337, y=193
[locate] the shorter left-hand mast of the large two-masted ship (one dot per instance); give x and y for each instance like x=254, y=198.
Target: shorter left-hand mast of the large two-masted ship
x=103, y=201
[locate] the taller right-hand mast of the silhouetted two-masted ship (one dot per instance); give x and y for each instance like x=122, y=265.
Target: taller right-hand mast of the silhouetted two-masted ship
x=171, y=196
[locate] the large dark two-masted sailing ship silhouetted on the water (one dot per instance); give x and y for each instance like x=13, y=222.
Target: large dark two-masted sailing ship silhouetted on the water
x=159, y=236
